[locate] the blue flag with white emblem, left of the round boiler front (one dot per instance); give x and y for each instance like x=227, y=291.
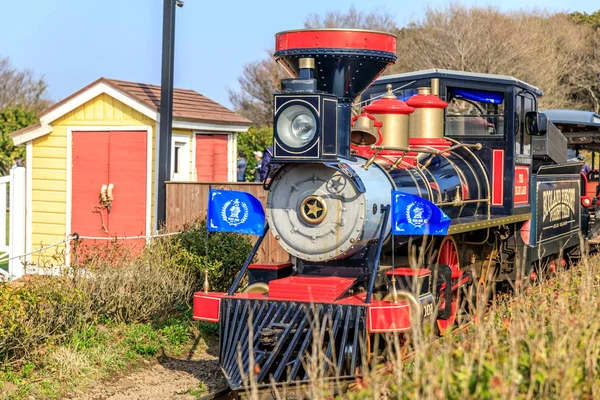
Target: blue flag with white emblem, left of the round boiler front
x=232, y=211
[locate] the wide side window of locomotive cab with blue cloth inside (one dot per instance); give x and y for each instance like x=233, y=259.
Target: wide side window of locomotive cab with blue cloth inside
x=473, y=112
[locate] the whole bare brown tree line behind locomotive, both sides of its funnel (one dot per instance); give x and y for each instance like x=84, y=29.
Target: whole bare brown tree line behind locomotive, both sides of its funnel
x=558, y=53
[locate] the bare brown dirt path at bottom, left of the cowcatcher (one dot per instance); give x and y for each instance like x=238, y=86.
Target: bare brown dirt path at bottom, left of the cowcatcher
x=168, y=378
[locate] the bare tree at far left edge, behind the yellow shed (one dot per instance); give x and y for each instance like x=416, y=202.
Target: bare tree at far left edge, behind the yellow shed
x=21, y=88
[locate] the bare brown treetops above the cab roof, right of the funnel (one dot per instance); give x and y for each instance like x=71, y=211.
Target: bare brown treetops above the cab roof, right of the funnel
x=549, y=51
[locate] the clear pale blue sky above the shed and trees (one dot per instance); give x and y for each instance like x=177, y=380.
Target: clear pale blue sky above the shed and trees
x=72, y=43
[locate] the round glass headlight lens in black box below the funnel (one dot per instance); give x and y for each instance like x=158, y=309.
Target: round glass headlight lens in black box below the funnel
x=296, y=126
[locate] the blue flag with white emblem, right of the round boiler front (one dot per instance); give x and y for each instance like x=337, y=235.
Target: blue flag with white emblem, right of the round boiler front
x=413, y=215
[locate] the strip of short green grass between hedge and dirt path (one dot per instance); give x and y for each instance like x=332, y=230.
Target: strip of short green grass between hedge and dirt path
x=98, y=351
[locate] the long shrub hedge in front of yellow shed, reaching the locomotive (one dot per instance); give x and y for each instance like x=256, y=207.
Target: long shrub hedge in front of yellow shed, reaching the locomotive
x=111, y=287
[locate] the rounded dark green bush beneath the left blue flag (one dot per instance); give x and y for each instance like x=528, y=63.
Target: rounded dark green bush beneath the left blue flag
x=227, y=253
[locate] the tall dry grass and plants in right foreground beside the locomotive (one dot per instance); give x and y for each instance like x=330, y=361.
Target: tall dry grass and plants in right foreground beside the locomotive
x=541, y=342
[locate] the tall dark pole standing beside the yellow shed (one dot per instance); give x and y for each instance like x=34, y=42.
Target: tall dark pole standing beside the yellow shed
x=166, y=109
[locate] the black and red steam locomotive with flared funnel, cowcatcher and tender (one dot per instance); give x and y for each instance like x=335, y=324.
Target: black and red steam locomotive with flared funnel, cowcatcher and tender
x=473, y=145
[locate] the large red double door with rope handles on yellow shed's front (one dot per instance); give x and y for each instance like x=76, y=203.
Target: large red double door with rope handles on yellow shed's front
x=102, y=158
